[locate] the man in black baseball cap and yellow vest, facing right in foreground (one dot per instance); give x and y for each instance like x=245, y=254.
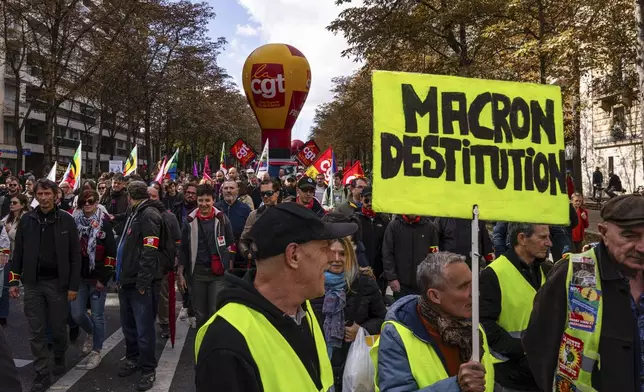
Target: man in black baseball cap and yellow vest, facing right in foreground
x=265, y=336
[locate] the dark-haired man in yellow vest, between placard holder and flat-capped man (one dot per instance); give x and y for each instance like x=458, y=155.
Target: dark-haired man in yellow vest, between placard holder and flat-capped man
x=508, y=286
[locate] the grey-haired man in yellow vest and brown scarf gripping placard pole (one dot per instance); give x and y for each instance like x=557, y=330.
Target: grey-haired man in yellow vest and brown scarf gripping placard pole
x=426, y=340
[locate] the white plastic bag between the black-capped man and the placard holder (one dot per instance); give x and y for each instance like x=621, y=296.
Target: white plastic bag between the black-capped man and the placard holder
x=358, y=370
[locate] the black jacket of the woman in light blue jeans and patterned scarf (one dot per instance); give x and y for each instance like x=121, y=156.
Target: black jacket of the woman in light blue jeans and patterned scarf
x=105, y=256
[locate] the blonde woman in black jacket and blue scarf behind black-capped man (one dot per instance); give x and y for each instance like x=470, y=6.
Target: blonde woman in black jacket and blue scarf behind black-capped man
x=352, y=300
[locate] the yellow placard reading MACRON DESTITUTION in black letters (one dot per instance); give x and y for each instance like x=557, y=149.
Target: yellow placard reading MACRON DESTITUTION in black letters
x=442, y=144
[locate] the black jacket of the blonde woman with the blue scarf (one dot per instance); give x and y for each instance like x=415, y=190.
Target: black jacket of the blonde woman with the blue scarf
x=365, y=307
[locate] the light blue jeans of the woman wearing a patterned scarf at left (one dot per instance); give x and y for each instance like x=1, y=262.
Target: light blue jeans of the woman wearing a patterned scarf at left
x=94, y=325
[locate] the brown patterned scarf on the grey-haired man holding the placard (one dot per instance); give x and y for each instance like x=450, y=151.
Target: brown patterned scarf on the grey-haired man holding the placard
x=454, y=332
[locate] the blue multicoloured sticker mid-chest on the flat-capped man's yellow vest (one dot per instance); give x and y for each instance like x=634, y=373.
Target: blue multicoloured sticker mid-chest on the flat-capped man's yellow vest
x=584, y=305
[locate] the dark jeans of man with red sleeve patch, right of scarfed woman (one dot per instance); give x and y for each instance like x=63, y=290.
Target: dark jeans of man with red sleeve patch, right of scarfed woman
x=137, y=321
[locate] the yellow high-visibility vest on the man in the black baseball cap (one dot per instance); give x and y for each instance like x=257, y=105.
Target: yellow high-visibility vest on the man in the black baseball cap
x=279, y=366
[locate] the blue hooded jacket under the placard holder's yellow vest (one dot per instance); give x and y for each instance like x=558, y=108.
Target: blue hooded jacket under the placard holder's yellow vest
x=394, y=372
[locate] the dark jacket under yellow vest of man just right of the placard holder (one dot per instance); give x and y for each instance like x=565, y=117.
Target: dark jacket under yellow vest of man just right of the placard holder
x=515, y=373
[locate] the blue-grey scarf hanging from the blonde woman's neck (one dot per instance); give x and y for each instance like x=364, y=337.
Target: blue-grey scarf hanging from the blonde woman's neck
x=333, y=309
